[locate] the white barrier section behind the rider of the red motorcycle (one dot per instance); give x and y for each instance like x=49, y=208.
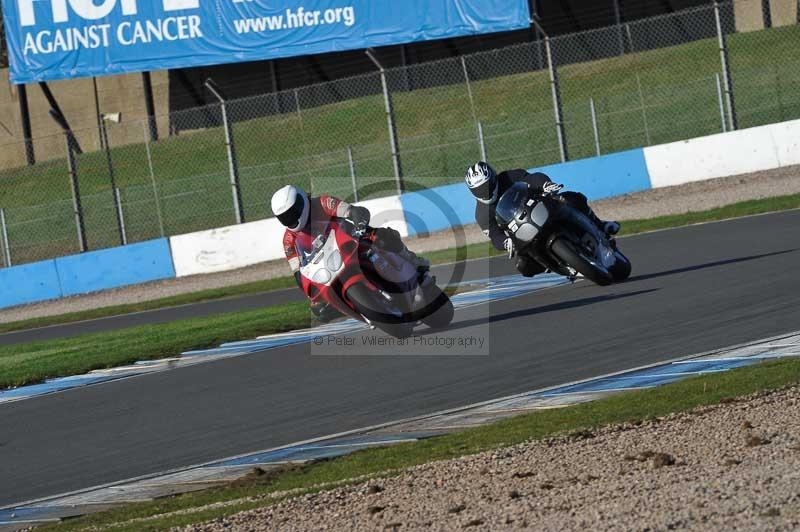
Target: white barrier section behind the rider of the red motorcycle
x=239, y=246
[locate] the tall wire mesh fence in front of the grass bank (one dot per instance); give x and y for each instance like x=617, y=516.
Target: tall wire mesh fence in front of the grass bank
x=640, y=83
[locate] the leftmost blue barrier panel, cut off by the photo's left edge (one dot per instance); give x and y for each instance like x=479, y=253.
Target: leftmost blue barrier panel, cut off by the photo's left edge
x=29, y=283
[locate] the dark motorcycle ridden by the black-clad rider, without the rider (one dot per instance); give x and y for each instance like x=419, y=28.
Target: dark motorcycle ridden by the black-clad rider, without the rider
x=548, y=230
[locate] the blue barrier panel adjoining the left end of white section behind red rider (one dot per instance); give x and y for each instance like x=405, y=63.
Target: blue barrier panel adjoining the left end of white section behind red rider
x=115, y=267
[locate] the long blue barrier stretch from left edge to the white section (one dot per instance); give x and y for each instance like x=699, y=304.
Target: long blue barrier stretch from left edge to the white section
x=88, y=272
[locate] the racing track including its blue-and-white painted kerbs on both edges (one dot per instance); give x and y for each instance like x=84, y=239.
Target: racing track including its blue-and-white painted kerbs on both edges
x=703, y=298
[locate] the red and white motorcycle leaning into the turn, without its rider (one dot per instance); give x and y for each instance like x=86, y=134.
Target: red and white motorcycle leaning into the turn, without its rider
x=341, y=265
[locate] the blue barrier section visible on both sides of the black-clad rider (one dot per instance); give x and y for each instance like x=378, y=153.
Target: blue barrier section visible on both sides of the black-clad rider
x=440, y=208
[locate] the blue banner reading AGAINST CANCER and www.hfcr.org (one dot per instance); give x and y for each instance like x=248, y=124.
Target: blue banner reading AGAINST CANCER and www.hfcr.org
x=57, y=39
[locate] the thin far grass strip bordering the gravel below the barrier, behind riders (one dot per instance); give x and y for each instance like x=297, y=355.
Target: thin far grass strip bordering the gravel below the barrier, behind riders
x=472, y=251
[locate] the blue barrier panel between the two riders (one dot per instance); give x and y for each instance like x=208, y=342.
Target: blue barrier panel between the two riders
x=439, y=208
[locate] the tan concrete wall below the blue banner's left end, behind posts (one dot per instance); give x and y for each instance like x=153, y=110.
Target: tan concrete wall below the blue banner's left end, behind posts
x=116, y=94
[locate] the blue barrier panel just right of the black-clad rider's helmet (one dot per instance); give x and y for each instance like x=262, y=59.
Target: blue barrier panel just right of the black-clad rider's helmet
x=602, y=177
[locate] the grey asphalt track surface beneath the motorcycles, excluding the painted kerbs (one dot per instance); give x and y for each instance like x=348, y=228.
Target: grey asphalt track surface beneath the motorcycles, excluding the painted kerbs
x=693, y=289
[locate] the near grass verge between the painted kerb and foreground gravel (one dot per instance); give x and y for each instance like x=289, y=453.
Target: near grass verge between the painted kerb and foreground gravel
x=633, y=406
